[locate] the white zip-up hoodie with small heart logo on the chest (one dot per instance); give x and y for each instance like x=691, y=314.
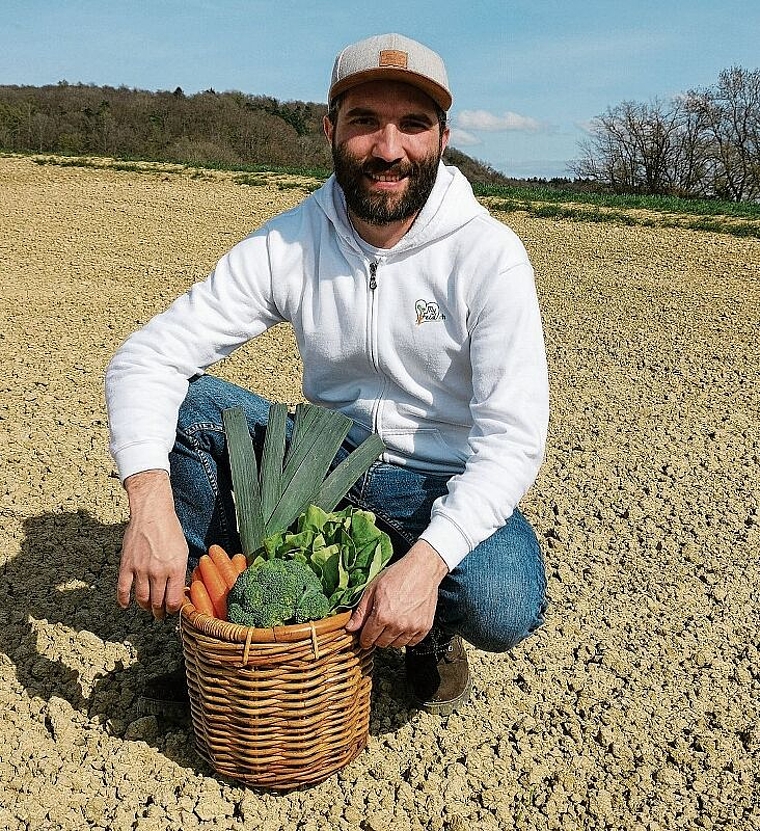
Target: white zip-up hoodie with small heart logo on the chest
x=434, y=344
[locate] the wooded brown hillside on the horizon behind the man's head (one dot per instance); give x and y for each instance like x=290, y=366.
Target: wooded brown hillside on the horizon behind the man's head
x=227, y=129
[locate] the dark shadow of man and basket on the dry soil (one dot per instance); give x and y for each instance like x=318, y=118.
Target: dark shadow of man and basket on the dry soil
x=66, y=575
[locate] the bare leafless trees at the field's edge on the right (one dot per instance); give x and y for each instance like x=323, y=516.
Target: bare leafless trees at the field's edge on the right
x=703, y=143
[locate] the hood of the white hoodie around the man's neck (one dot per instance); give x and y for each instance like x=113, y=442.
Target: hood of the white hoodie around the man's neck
x=451, y=205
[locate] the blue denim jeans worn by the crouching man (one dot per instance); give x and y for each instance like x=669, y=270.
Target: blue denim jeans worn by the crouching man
x=494, y=598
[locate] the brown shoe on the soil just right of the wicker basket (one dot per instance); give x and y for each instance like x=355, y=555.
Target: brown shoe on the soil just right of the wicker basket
x=437, y=673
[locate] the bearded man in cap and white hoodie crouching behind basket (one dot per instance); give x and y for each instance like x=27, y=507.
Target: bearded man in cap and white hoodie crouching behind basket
x=415, y=314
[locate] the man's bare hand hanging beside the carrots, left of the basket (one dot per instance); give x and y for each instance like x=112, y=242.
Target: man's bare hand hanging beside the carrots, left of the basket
x=154, y=551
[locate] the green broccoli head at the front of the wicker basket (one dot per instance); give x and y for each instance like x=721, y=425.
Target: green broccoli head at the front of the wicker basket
x=275, y=592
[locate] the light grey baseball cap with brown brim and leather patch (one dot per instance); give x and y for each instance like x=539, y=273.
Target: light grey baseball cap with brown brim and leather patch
x=391, y=57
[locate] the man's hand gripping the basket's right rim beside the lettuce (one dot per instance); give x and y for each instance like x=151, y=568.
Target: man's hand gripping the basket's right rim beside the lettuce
x=398, y=606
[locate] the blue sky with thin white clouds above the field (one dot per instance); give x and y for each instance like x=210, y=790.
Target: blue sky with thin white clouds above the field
x=527, y=75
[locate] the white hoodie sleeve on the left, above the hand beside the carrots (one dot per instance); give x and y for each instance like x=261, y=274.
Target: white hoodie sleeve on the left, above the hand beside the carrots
x=147, y=379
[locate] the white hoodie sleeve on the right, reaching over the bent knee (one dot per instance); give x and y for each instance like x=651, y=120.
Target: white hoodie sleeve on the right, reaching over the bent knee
x=510, y=413
